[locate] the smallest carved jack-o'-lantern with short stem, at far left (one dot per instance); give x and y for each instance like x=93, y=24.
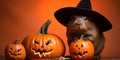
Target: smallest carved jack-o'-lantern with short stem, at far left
x=15, y=51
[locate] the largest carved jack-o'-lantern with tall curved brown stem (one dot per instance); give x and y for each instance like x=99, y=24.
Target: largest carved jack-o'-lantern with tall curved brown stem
x=44, y=45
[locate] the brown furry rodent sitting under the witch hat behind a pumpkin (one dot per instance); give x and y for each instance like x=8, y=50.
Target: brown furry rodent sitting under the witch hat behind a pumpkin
x=82, y=25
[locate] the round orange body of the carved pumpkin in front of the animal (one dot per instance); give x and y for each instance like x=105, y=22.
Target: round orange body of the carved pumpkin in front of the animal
x=81, y=49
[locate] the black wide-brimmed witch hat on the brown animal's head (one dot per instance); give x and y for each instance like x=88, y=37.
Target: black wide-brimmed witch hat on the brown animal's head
x=83, y=8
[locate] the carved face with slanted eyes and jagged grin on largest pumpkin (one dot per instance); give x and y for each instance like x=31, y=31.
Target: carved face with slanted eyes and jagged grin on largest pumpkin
x=44, y=46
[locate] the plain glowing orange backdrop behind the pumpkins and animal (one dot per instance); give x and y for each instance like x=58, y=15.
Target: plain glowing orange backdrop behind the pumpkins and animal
x=19, y=18
